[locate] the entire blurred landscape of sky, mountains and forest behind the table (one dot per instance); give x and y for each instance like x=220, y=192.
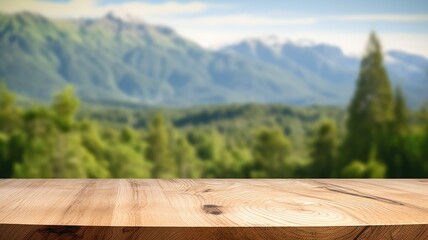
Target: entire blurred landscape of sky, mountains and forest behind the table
x=213, y=89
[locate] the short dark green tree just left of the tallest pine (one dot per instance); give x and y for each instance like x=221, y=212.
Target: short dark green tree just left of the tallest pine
x=323, y=150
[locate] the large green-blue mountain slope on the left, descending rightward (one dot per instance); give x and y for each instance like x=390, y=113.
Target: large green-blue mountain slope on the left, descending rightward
x=108, y=59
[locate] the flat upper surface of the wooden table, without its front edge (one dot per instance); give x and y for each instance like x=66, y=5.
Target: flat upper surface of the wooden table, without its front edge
x=214, y=202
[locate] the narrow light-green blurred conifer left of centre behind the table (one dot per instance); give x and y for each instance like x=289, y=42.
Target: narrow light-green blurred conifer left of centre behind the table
x=158, y=149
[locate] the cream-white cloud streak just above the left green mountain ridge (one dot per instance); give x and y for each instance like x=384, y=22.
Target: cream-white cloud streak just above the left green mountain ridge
x=168, y=12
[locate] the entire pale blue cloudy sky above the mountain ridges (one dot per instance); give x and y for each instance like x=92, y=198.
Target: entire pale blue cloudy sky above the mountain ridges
x=400, y=24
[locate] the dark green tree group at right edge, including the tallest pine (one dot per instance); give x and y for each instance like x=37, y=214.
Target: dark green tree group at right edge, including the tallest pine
x=381, y=122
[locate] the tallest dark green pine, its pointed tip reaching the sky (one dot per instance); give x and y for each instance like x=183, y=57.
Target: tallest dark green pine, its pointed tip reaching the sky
x=371, y=110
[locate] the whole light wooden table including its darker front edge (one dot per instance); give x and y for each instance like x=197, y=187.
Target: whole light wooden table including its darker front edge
x=213, y=209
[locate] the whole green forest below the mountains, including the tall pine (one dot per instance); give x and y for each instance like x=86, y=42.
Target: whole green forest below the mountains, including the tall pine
x=376, y=136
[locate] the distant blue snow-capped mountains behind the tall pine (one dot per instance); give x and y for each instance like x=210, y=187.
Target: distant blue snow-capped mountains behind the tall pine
x=328, y=66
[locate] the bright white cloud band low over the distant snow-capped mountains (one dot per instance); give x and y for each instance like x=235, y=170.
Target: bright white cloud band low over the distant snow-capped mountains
x=350, y=42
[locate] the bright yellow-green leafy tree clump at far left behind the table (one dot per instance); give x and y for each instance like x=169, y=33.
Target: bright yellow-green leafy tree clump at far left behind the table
x=46, y=149
